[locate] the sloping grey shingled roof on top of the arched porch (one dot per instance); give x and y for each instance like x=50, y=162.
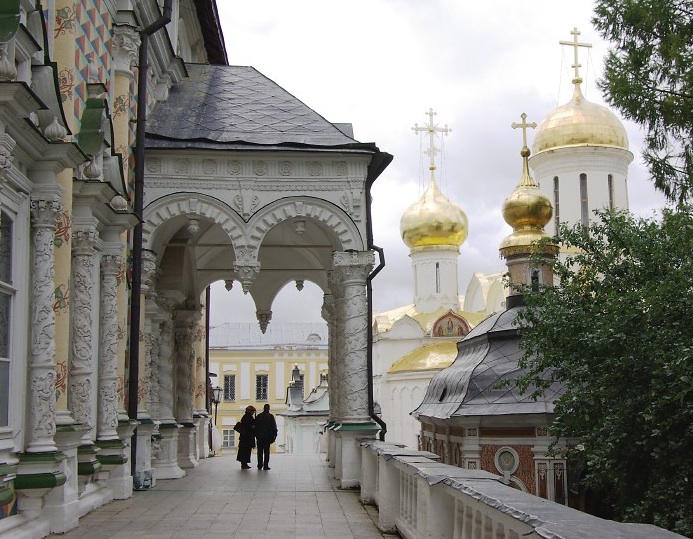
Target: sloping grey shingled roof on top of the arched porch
x=236, y=107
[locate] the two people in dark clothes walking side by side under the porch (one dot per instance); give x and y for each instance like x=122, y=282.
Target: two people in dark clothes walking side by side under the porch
x=262, y=429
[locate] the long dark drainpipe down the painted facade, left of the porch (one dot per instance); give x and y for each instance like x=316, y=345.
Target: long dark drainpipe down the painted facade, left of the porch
x=136, y=290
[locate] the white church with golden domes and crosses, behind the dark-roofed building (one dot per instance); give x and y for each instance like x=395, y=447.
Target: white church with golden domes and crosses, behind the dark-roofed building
x=580, y=158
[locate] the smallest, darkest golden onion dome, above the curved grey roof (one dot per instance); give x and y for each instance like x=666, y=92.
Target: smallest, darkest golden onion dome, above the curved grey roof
x=527, y=210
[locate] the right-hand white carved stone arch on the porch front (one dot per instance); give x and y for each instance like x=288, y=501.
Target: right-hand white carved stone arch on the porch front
x=329, y=216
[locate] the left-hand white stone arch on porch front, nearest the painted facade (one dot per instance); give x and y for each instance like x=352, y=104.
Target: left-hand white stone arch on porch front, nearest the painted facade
x=166, y=208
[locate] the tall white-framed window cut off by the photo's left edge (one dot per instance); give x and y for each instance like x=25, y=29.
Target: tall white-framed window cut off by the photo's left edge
x=6, y=295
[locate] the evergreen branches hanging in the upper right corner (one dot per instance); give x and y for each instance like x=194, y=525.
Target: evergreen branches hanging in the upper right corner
x=648, y=76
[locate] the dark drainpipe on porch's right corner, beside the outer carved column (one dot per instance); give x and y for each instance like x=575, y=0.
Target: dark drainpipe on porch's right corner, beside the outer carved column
x=379, y=163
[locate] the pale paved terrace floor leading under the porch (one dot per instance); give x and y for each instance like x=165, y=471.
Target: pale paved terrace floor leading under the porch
x=217, y=500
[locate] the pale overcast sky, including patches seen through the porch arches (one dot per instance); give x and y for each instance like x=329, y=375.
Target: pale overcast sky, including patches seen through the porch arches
x=381, y=64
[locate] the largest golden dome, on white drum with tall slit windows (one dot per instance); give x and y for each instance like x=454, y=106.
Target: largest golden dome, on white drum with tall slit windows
x=579, y=123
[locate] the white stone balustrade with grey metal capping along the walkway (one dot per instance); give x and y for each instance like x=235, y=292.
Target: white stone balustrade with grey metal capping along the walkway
x=419, y=497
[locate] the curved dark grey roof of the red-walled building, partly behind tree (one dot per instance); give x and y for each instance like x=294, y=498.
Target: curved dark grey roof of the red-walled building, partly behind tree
x=471, y=386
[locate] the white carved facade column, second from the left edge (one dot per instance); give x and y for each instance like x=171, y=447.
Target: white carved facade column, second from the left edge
x=81, y=382
